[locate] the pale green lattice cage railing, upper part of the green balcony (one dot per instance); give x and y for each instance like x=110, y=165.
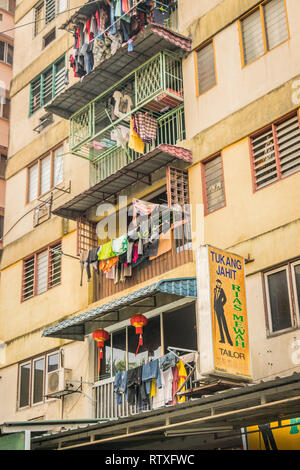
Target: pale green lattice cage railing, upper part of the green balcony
x=161, y=74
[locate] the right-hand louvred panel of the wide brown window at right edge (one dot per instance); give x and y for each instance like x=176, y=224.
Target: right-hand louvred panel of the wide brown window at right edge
x=288, y=138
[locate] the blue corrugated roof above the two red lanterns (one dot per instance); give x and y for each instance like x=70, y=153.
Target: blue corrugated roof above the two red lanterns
x=74, y=328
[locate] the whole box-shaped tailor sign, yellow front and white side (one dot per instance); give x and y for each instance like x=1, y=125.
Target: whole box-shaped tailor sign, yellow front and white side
x=223, y=325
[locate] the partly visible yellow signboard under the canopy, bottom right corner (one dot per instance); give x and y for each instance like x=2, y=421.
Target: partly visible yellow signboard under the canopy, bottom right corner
x=275, y=437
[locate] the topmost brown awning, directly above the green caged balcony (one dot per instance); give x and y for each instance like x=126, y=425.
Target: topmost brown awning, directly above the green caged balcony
x=153, y=39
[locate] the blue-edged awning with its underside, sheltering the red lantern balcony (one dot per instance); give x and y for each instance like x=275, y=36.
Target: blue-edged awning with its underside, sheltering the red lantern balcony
x=164, y=291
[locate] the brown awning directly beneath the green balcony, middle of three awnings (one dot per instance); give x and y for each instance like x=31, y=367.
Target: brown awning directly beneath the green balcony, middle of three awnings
x=138, y=170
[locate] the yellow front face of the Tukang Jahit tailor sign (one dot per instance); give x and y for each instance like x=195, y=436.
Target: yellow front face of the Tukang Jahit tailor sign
x=229, y=313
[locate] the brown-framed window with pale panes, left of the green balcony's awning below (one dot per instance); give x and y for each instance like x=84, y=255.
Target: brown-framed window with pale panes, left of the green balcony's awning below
x=46, y=173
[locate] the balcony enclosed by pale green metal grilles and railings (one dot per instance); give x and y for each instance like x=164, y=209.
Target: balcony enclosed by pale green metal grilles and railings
x=156, y=88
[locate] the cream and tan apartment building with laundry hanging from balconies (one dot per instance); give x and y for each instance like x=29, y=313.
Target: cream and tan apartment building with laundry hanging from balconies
x=219, y=83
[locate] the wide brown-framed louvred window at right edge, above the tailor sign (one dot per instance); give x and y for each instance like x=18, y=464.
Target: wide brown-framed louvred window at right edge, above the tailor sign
x=276, y=151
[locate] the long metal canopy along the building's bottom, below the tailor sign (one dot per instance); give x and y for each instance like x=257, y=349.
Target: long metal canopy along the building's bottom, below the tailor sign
x=253, y=404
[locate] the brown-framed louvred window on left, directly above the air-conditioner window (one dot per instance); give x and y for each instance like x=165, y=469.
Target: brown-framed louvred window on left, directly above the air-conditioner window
x=41, y=271
